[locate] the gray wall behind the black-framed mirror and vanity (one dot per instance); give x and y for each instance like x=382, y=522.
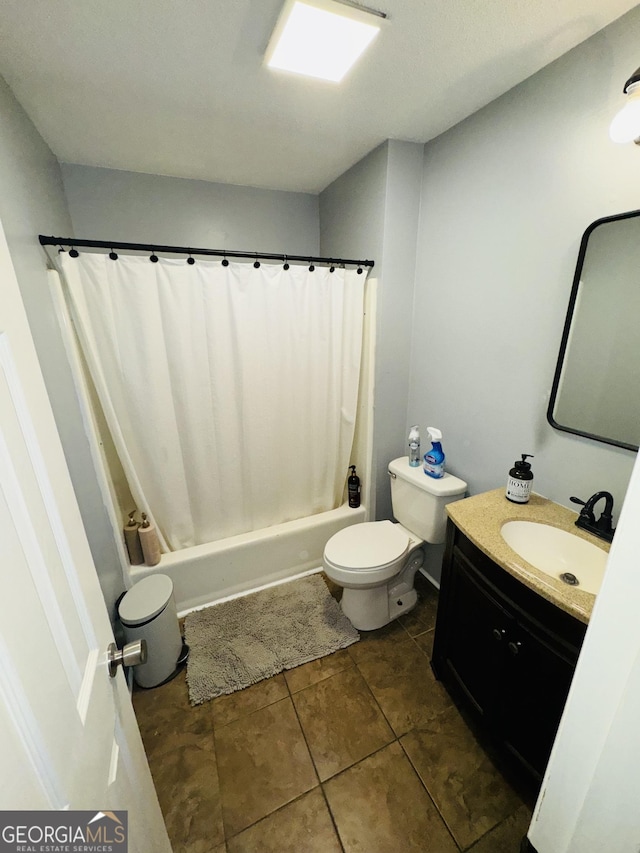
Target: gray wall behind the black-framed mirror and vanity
x=506, y=196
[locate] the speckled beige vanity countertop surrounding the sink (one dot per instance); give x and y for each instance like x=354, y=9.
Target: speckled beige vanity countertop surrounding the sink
x=480, y=518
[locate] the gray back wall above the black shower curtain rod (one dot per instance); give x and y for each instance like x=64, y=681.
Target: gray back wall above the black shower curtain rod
x=107, y=204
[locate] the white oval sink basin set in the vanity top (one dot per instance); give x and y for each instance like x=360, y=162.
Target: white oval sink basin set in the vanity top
x=556, y=553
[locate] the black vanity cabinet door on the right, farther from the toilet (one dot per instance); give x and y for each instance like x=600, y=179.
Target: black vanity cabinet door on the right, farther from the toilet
x=537, y=680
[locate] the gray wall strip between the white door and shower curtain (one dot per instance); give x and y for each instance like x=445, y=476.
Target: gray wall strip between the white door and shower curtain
x=32, y=202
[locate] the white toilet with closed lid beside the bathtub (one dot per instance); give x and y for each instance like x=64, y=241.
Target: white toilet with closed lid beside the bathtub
x=376, y=561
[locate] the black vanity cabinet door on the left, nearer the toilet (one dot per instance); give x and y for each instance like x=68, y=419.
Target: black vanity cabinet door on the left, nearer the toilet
x=476, y=630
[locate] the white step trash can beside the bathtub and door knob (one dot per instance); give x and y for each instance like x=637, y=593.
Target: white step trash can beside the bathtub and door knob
x=148, y=612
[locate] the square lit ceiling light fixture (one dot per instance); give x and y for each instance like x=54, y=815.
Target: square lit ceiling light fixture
x=321, y=38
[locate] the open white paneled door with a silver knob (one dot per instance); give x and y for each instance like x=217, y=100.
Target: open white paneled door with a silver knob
x=68, y=735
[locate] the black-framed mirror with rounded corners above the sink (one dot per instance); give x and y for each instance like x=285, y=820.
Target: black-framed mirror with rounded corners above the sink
x=596, y=386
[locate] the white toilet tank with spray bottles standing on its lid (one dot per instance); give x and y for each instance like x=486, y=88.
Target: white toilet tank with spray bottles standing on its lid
x=419, y=501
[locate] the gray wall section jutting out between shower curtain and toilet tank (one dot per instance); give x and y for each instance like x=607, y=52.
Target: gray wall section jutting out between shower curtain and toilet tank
x=371, y=212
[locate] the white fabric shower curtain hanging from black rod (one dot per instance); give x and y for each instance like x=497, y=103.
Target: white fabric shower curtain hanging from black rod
x=230, y=392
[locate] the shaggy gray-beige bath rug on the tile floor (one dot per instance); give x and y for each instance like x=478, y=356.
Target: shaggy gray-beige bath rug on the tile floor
x=240, y=642
